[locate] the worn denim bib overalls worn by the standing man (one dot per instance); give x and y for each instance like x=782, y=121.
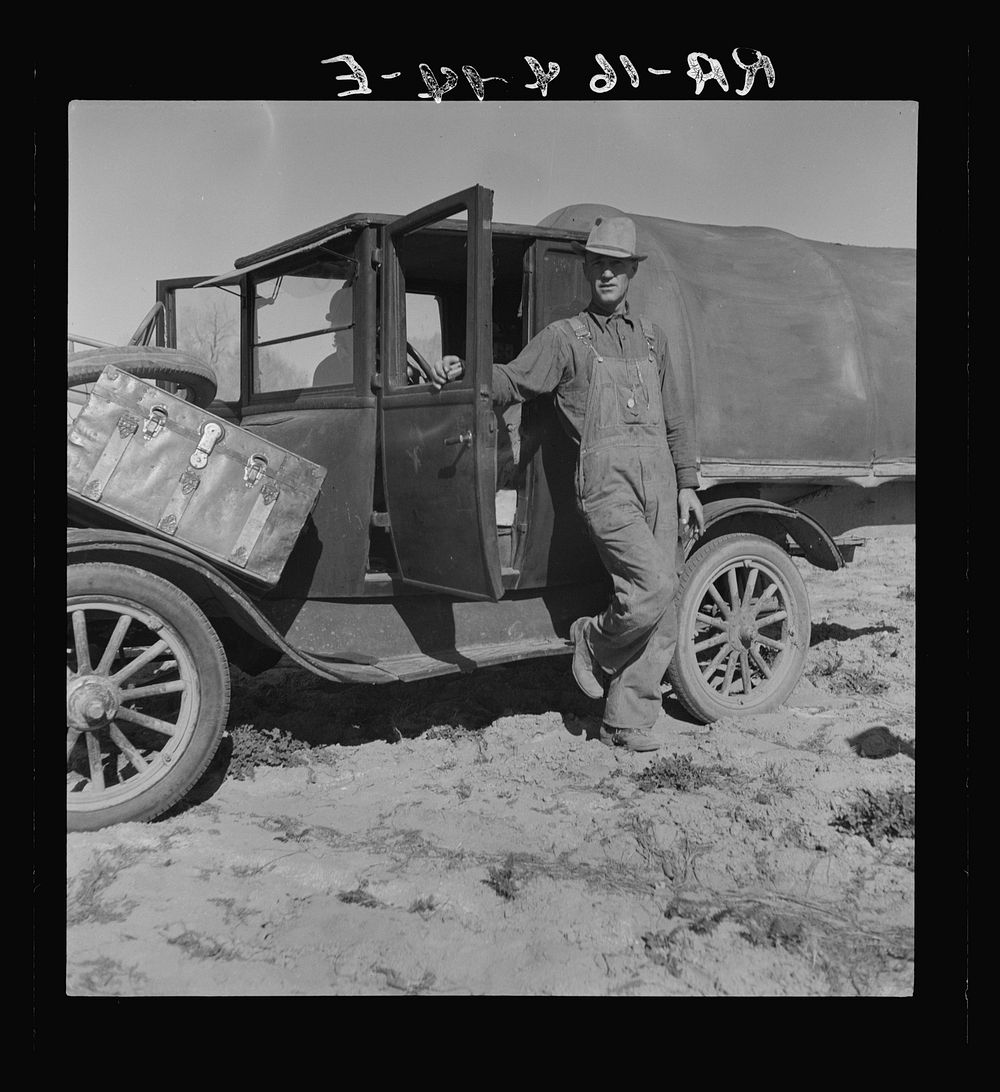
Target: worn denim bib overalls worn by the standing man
x=627, y=494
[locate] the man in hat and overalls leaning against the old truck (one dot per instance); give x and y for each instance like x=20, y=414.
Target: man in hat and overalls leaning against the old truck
x=636, y=477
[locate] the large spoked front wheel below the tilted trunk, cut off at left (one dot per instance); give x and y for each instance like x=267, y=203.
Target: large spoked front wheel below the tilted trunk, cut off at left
x=148, y=695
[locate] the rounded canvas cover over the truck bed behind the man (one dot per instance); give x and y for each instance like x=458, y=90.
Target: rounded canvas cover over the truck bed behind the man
x=785, y=350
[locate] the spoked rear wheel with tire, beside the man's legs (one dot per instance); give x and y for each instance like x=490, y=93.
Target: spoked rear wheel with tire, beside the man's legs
x=744, y=628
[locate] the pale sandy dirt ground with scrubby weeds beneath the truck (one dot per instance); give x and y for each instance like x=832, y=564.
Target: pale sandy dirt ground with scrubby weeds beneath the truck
x=472, y=836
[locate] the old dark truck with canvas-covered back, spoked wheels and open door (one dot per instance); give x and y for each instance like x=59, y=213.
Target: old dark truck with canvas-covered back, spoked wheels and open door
x=446, y=537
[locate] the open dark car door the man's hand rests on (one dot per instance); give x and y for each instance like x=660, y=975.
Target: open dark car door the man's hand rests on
x=439, y=446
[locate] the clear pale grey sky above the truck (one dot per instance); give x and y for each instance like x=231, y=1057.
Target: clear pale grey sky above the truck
x=168, y=189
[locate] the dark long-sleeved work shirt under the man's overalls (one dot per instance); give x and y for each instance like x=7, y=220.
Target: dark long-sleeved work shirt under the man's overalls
x=552, y=362
